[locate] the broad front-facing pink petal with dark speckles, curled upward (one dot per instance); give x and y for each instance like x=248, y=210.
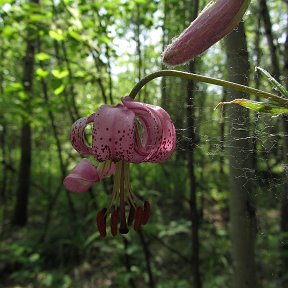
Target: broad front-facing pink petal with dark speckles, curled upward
x=113, y=133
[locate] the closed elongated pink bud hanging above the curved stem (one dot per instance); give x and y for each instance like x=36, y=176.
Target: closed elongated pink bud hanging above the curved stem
x=218, y=19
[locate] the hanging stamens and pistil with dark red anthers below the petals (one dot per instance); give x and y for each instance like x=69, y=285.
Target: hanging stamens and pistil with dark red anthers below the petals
x=123, y=202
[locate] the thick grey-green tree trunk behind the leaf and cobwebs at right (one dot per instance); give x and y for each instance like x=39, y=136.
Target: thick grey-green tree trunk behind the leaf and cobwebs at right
x=242, y=210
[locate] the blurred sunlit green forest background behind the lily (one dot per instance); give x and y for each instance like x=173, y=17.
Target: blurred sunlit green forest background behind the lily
x=220, y=211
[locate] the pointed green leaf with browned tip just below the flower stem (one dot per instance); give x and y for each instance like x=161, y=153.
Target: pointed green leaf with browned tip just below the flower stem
x=263, y=107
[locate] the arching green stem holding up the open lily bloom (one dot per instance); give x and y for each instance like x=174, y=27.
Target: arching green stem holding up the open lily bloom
x=205, y=79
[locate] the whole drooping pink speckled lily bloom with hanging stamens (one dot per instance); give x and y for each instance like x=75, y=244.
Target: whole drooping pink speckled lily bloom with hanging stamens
x=131, y=132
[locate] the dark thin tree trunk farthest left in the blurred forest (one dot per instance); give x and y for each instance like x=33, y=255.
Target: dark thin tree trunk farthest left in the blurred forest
x=20, y=216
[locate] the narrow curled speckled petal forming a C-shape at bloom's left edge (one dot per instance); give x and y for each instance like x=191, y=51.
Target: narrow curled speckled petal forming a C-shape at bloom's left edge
x=77, y=135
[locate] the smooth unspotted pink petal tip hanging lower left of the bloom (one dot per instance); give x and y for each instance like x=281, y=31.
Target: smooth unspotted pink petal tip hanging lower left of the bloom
x=82, y=177
